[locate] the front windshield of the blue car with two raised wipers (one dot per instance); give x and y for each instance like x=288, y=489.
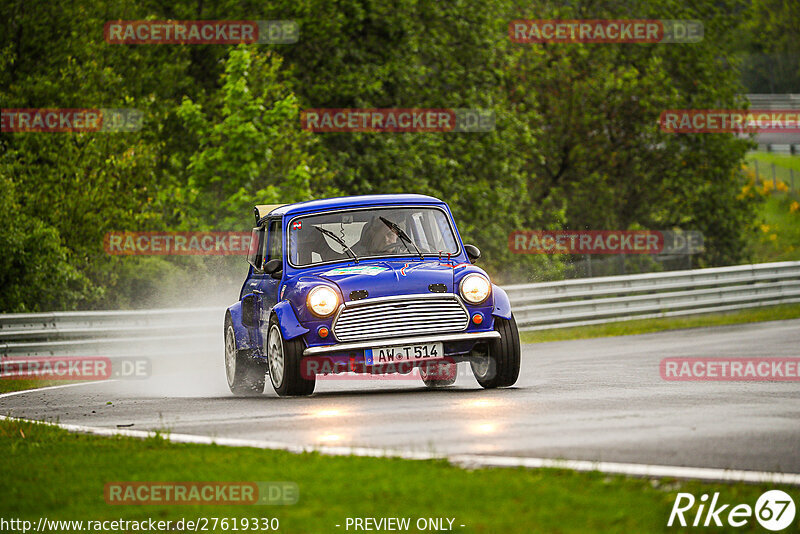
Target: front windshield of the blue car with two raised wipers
x=370, y=233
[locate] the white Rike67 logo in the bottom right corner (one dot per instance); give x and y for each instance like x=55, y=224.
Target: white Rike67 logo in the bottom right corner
x=774, y=510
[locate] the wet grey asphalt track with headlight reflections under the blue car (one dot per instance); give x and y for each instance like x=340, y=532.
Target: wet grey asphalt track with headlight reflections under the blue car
x=597, y=399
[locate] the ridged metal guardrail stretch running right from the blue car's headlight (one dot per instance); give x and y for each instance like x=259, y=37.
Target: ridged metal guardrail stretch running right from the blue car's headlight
x=590, y=301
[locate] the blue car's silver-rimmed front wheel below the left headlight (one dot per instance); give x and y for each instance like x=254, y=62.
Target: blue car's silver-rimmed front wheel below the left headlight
x=287, y=381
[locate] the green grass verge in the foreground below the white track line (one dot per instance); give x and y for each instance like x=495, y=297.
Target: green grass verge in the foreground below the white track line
x=52, y=473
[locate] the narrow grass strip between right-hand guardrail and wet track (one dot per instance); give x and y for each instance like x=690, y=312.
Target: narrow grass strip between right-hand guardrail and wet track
x=644, y=326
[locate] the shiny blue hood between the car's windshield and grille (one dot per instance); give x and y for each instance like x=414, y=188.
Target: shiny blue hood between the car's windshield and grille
x=387, y=278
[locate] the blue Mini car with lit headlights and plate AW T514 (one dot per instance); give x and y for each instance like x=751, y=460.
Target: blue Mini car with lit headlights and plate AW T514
x=365, y=284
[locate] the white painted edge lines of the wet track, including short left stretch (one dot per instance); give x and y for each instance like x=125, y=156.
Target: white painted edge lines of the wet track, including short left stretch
x=463, y=460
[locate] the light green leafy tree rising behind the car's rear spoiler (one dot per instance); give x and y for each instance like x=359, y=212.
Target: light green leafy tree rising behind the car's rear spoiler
x=250, y=149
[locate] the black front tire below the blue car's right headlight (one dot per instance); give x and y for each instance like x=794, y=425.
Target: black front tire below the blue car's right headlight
x=501, y=367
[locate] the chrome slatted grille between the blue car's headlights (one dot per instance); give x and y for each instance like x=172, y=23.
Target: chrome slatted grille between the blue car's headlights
x=388, y=317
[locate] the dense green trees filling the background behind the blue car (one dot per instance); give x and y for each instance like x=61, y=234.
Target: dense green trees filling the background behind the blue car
x=576, y=143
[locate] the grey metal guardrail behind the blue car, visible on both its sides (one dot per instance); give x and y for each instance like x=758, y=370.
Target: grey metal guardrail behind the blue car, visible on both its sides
x=536, y=306
